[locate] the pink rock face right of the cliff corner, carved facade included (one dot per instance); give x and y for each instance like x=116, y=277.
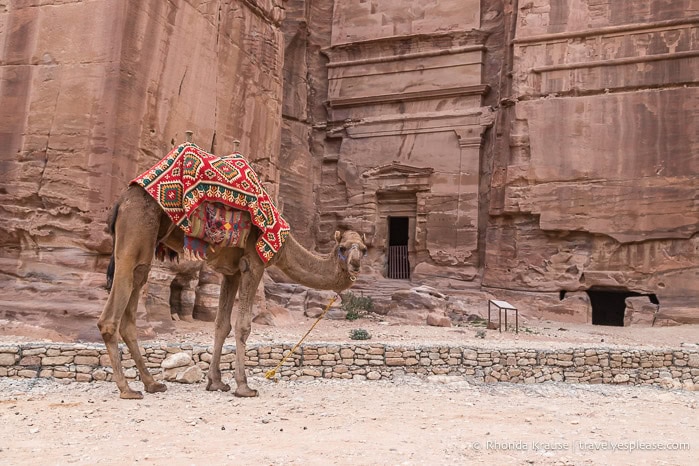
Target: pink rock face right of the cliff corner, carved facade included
x=576, y=157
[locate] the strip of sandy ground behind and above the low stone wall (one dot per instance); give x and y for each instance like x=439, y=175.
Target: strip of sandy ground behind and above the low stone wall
x=383, y=329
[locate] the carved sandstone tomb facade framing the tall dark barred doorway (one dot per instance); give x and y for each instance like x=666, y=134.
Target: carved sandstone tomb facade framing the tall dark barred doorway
x=405, y=98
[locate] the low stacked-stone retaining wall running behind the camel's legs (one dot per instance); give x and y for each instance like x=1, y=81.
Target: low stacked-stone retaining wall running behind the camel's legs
x=669, y=368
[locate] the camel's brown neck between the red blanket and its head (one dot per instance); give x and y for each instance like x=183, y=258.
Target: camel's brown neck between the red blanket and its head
x=312, y=270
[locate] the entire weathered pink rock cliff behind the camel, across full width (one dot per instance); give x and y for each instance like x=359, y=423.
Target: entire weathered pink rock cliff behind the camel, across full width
x=567, y=162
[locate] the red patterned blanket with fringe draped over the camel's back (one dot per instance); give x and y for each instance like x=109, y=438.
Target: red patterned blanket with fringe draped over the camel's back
x=188, y=183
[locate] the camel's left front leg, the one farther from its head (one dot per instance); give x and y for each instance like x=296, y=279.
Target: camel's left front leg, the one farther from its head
x=229, y=288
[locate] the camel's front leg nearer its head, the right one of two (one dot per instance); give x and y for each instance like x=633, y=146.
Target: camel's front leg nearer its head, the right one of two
x=252, y=269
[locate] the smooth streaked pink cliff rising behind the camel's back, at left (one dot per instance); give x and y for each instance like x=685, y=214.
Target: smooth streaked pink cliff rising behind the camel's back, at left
x=95, y=92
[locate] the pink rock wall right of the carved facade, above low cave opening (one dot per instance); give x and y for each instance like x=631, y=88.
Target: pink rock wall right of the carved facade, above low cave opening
x=599, y=186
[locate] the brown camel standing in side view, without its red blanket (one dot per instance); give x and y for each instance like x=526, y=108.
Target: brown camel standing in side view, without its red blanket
x=138, y=224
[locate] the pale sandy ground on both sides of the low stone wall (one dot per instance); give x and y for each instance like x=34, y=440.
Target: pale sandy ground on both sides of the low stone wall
x=409, y=420
